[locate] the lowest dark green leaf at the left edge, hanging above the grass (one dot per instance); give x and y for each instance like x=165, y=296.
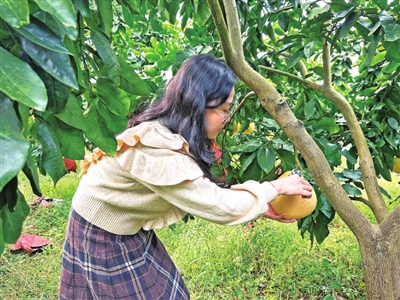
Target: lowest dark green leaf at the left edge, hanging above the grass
x=11, y=221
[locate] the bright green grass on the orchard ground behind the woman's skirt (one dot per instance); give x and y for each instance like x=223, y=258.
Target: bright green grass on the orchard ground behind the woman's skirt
x=270, y=261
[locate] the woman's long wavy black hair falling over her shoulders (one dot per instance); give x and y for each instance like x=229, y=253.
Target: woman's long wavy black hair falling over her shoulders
x=200, y=80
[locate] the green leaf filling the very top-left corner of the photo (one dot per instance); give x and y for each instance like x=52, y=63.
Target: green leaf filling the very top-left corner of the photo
x=15, y=13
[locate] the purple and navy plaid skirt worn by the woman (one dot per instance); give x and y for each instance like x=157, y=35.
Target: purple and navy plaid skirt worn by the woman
x=97, y=264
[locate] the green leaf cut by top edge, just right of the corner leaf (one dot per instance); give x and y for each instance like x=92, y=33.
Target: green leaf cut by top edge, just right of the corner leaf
x=63, y=11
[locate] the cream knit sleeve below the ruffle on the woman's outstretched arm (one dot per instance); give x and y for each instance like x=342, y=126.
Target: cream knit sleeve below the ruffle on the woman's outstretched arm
x=200, y=197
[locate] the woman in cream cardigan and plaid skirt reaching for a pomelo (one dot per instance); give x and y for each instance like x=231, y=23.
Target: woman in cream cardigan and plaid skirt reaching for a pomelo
x=159, y=173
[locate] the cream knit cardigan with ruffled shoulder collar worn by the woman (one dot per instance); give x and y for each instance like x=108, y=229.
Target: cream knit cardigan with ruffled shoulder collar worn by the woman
x=152, y=182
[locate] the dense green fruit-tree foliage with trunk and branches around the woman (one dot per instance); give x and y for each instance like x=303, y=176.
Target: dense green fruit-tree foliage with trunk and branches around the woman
x=318, y=80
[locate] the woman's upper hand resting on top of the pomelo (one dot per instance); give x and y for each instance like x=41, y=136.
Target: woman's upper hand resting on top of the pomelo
x=292, y=185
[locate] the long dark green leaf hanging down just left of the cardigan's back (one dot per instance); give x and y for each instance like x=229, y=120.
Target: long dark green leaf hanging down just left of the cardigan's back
x=52, y=160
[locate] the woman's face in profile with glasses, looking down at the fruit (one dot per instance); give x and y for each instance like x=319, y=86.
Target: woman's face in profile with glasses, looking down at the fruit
x=217, y=118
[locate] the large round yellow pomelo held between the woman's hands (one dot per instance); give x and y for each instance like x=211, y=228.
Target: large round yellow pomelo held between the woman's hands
x=294, y=206
